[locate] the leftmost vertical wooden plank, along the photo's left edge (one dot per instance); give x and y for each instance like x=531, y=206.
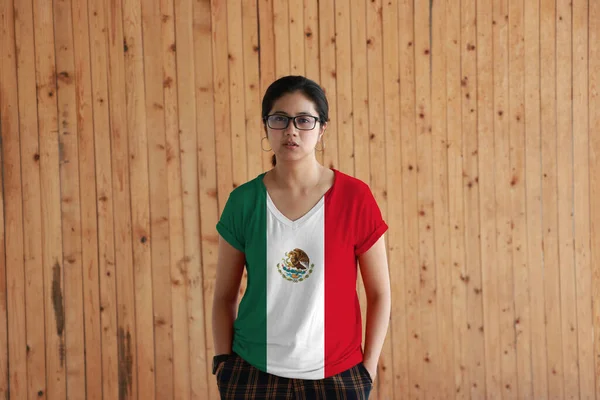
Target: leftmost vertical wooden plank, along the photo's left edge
x=13, y=344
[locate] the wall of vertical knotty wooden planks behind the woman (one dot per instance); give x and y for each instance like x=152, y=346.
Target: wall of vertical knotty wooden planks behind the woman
x=126, y=123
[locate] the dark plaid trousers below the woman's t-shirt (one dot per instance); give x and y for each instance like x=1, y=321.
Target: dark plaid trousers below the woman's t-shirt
x=238, y=380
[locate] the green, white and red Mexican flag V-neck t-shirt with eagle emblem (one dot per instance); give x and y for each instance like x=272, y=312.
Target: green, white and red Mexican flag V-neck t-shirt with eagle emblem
x=300, y=315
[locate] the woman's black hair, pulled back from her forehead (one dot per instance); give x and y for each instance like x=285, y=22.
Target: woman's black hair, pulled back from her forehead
x=292, y=84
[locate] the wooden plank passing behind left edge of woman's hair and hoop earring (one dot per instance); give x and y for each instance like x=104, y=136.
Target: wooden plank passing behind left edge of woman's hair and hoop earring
x=267, y=61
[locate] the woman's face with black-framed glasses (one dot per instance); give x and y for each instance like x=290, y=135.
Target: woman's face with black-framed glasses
x=291, y=143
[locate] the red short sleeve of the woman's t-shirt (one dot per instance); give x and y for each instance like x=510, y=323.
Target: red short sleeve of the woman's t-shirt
x=370, y=225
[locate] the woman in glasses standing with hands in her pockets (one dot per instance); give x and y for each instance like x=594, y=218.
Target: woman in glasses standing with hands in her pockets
x=299, y=229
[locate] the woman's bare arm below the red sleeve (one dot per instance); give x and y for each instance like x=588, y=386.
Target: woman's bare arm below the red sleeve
x=375, y=275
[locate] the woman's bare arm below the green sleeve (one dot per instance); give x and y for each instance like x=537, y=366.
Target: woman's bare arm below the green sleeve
x=230, y=266
